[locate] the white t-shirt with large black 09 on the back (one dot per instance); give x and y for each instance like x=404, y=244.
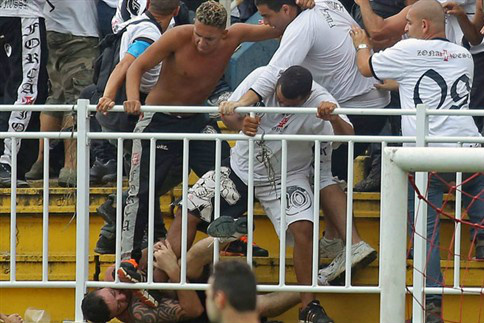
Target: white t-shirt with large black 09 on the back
x=435, y=72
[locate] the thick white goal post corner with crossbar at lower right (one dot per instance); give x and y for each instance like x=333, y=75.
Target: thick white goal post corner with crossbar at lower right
x=396, y=163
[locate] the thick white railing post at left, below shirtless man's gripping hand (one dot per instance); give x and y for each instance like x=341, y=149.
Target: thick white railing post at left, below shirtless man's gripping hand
x=82, y=207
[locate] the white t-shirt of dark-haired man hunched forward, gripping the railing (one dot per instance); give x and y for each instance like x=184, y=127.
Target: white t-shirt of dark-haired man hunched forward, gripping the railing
x=299, y=153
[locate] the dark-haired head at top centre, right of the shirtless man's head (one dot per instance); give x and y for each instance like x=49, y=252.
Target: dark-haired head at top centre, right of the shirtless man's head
x=278, y=13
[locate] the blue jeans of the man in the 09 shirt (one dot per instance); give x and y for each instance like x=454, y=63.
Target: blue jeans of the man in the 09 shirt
x=475, y=212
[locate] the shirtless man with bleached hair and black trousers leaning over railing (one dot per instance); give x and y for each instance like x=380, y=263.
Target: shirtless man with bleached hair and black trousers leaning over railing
x=194, y=58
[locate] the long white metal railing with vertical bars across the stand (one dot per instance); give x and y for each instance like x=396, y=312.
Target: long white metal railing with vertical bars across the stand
x=388, y=262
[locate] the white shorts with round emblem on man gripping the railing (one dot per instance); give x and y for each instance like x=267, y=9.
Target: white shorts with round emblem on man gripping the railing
x=299, y=199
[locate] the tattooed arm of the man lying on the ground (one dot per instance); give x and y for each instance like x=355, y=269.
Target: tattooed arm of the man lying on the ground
x=168, y=310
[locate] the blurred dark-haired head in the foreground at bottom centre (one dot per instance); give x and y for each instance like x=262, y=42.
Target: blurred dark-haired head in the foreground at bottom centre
x=232, y=287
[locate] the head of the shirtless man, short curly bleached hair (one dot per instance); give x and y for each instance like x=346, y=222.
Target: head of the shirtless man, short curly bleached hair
x=209, y=28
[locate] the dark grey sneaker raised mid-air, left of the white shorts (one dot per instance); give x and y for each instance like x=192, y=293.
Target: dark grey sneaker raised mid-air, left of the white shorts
x=227, y=228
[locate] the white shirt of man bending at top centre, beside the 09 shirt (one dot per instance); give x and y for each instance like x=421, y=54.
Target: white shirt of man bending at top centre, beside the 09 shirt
x=318, y=39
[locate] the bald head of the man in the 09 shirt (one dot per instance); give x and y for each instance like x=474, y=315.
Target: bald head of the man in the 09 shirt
x=425, y=20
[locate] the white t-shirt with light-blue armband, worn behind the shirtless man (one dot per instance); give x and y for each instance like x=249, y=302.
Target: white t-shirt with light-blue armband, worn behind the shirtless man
x=147, y=31
